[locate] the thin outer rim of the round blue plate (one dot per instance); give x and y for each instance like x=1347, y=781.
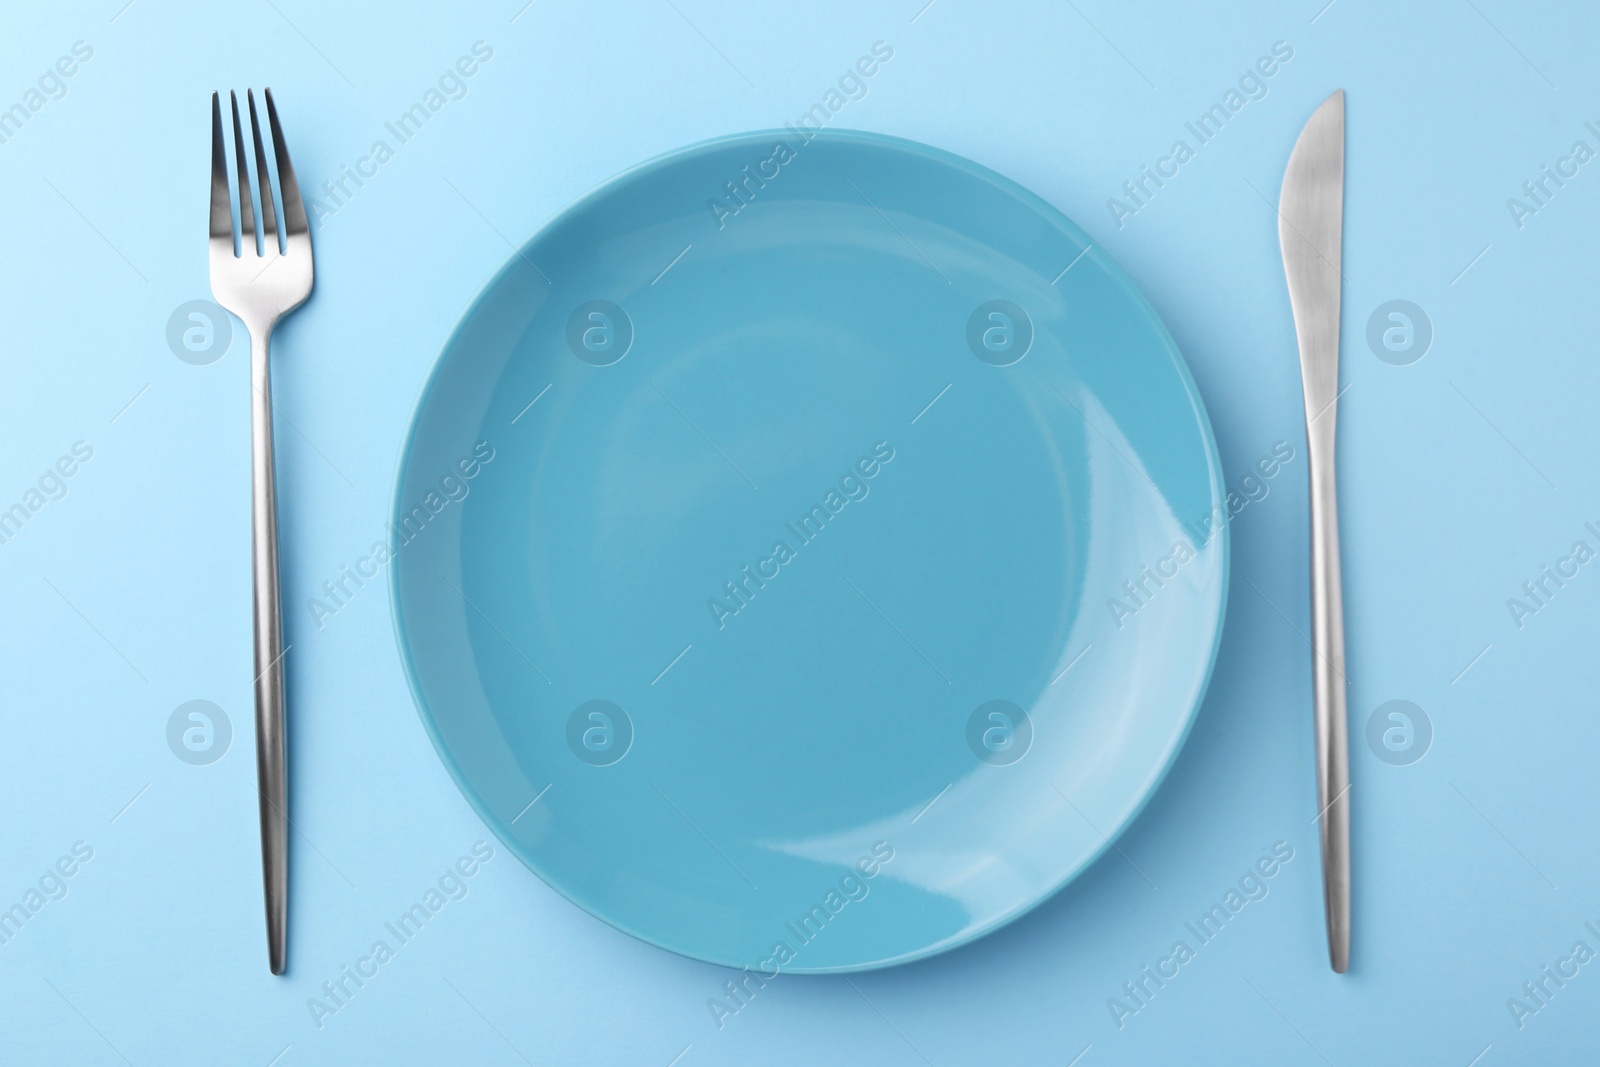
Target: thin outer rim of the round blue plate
x=1004, y=185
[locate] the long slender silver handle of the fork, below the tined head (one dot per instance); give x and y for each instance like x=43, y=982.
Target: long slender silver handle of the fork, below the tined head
x=271, y=764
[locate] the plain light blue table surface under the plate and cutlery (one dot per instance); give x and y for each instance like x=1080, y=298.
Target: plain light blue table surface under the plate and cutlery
x=1465, y=474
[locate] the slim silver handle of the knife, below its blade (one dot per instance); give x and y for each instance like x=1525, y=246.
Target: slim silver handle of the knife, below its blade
x=1334, y=756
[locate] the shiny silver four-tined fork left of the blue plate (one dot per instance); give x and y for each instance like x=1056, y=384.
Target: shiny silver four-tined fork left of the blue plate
x=262, y=286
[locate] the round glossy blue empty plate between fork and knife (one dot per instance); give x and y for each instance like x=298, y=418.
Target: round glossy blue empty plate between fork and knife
x=810, y=554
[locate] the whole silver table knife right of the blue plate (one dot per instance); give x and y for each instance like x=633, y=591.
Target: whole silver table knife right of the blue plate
x=1311, y=217
